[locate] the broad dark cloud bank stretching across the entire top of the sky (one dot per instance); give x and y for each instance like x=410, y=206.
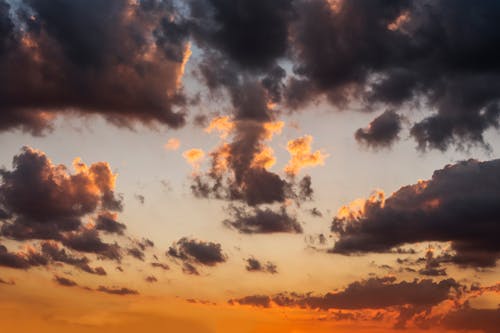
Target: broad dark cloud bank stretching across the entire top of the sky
x=124, y=60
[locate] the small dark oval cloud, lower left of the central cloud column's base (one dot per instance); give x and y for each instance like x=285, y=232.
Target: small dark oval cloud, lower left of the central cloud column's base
x=197, y=252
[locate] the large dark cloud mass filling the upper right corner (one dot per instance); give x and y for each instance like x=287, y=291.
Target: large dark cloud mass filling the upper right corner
x=397, y=52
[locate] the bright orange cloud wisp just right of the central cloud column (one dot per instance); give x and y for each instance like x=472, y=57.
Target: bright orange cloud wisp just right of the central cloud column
x=302, y=156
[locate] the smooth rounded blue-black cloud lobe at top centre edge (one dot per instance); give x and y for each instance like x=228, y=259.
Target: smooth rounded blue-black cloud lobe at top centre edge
x=251, y=33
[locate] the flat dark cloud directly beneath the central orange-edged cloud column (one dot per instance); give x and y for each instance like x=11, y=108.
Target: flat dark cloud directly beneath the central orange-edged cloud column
x=262, y=221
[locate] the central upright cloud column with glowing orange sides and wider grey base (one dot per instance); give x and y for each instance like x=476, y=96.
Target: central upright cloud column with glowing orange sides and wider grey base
x=239, y=168
